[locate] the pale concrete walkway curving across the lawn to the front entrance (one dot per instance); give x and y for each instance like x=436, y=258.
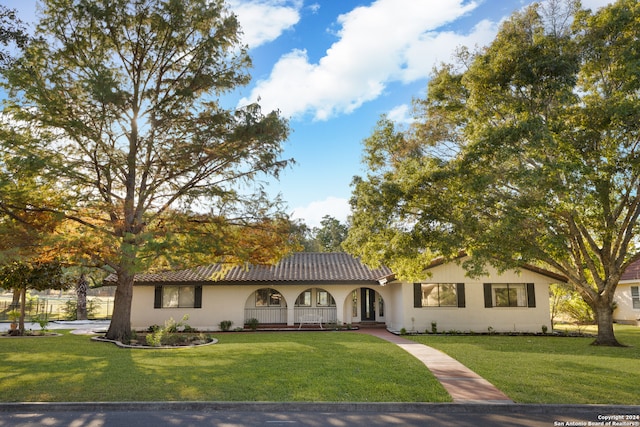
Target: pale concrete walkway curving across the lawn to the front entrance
x=464, y=385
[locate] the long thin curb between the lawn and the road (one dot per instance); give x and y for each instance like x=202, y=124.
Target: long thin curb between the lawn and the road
x=426, y=408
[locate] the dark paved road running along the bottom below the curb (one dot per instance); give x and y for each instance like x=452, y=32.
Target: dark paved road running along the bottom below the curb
x=312, y=415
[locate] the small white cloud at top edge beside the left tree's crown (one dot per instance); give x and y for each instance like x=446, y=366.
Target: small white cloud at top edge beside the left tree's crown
x=263, y=21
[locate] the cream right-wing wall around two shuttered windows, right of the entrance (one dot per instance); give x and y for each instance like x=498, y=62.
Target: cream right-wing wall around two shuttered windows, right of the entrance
x=474, y=317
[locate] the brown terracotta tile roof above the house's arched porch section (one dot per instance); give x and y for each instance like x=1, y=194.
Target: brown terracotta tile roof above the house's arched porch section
x=299, y=267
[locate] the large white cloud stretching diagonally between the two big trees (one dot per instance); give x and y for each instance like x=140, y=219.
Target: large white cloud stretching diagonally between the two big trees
x=390, y=40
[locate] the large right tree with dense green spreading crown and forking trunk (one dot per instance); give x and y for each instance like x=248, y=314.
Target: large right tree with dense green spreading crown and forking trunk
x=527, y=151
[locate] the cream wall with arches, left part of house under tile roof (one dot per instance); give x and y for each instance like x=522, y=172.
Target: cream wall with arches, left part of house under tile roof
x=221, y=302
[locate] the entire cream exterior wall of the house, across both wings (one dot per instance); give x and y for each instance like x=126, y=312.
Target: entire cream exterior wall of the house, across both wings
x=222, y=302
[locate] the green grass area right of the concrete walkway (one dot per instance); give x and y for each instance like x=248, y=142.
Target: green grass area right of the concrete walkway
x=557, y=370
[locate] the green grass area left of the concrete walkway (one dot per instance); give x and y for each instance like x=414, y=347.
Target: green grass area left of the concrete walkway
x=311, y=366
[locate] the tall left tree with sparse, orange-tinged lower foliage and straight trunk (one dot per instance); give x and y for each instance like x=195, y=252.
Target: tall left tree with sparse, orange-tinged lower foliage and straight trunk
x=127, y=102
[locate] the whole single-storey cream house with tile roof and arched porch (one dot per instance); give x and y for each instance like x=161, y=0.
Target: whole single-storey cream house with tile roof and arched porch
x=310, y=288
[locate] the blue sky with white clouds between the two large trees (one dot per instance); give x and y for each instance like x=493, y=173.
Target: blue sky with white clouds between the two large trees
x=333, y=67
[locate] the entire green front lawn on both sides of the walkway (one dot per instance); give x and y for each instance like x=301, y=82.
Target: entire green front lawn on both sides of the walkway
x=317, y=366
